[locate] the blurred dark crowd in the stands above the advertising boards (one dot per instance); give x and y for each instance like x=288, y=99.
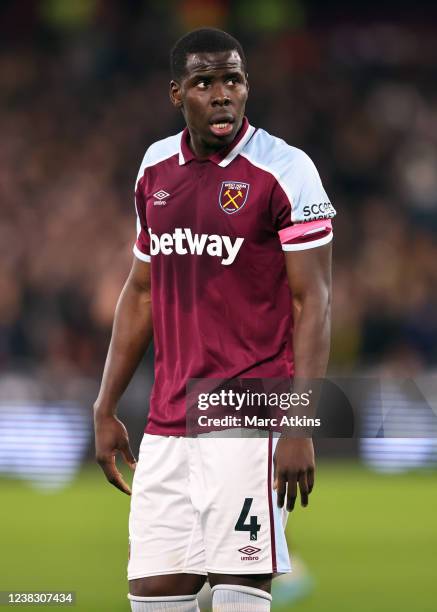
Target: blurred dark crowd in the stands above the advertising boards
x=84, y=92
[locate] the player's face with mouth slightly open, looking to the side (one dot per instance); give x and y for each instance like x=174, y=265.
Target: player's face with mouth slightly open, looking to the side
x=212, y=96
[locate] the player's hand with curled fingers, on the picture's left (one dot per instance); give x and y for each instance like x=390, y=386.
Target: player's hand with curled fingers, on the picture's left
x=112, y=438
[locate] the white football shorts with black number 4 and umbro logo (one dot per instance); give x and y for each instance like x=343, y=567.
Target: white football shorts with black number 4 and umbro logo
x=204, y=505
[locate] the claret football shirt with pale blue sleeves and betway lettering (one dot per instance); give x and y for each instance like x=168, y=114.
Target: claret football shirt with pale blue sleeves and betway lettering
x=214, y=232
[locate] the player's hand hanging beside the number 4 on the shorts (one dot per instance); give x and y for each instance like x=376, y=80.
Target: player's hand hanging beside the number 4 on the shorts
x=293, y=464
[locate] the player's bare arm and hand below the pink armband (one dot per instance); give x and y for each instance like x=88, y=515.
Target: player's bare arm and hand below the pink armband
x=309, y=277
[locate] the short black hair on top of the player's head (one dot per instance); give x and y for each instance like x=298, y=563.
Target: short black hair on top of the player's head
x=203, y=40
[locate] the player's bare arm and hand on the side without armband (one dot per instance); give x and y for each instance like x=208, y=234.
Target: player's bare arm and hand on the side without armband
x=131, y=334
